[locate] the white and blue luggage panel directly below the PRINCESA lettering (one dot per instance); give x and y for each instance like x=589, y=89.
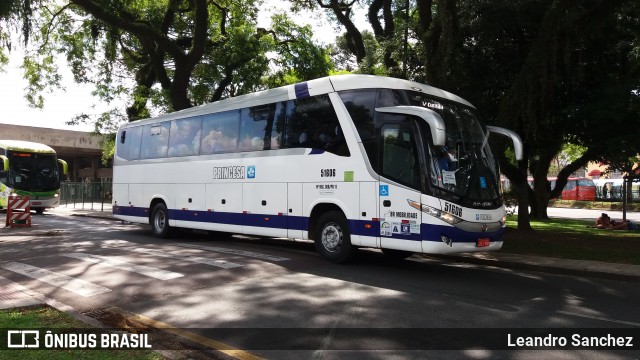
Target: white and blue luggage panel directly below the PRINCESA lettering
x=224, y=201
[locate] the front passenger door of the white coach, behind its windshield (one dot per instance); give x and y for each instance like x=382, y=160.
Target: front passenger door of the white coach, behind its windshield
x=400, y=177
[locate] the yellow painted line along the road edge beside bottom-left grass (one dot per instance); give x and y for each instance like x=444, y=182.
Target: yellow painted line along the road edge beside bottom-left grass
x=217, y=345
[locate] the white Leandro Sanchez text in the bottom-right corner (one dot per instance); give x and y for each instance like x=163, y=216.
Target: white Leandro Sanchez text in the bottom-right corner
x=575, y=340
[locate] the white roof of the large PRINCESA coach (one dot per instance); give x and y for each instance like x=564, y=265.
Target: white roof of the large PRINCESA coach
x=308, y=88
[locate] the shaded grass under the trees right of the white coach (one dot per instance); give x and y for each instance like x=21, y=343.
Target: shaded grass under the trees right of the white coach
x=573, y=239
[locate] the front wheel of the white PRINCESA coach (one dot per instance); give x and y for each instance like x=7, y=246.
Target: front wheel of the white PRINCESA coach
x=333, y=240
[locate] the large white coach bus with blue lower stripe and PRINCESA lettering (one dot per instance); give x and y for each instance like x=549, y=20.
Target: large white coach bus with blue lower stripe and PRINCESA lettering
x=346, y=161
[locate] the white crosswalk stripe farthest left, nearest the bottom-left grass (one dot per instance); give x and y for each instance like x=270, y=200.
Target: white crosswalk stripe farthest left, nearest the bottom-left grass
x=78, y=286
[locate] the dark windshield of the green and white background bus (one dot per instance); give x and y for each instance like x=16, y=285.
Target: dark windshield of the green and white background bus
x=33, y=171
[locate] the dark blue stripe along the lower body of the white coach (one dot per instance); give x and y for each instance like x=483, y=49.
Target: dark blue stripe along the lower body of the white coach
x=428, y=232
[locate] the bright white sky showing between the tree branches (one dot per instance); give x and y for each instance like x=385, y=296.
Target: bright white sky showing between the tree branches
x=63, y=105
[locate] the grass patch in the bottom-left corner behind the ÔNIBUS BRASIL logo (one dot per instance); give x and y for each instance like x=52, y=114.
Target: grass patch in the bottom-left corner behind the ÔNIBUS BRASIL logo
x=43, y=318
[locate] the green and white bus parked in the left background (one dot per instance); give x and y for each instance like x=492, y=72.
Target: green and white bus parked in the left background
x=30, y=169
